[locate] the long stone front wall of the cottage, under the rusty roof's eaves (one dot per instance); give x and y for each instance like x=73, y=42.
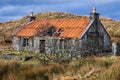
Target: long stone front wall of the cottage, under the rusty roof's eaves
x=52, y=45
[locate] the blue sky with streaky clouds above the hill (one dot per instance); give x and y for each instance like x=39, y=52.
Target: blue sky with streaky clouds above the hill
x=13, y=9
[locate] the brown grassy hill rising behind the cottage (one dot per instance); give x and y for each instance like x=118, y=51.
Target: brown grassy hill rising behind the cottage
x=7, y=28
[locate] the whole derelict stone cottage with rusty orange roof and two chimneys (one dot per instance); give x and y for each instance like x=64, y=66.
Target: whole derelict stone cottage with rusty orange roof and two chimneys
x=74, y=36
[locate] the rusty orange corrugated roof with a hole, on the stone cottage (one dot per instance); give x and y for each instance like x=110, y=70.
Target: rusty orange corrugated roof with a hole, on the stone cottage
x=72, y=28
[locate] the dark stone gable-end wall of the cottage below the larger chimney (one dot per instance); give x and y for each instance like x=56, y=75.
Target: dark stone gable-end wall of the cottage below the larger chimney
x=100, y=41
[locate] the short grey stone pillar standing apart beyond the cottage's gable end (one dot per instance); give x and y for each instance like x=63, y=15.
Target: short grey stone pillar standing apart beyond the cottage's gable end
x=116, y=48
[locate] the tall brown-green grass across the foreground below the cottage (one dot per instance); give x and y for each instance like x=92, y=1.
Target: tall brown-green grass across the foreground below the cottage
x=90, y=68
